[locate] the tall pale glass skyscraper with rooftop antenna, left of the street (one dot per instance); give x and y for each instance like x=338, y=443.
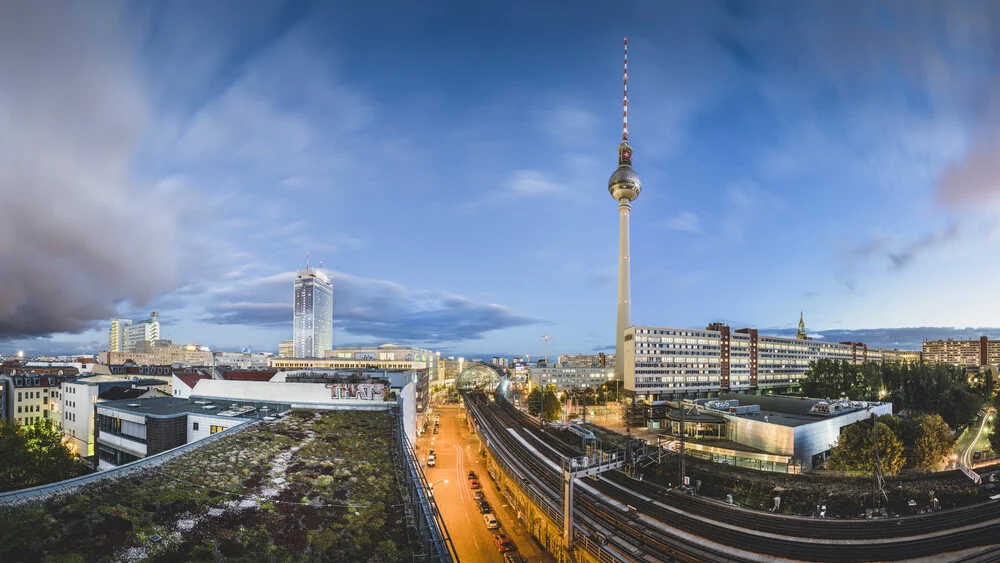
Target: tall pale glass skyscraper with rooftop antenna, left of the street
x=313, y=331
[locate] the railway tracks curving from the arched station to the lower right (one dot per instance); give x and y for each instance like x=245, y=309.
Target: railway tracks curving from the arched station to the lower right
x=796, y=538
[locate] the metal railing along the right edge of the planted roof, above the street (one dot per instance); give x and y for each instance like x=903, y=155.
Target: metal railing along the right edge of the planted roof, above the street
x=420, y=499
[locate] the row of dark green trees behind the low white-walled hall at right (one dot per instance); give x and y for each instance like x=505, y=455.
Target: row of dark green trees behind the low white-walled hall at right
x=926, y=388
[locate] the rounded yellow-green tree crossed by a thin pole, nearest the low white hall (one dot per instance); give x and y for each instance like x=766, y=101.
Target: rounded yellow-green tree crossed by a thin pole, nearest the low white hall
x=854, y=450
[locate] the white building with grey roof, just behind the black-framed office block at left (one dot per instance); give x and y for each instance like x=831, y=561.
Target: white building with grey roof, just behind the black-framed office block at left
x=79, y=396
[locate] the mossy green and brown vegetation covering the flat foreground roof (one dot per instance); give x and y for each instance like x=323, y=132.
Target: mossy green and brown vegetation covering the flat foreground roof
x=310, y=487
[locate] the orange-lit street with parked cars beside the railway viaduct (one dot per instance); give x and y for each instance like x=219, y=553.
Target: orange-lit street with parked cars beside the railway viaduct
x=458, y=453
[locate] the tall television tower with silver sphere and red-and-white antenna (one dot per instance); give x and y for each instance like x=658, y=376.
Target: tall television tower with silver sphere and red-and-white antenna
x=624, y=186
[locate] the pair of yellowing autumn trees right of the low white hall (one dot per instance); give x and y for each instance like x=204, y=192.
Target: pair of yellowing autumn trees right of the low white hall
x=923, y=441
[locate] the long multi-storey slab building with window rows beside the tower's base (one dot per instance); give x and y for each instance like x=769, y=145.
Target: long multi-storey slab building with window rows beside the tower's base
x=664, y=363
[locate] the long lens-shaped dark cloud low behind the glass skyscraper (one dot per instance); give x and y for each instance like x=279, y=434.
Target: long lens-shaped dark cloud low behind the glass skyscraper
x=382, y=310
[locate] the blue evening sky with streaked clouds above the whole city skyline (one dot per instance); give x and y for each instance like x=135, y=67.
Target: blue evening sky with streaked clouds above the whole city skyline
x=447, y=163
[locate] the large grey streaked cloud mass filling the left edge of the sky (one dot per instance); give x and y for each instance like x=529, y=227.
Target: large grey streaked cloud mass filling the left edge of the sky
x=79, y=235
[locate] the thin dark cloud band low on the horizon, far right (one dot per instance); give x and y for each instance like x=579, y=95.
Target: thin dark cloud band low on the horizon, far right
x=905, y=338
